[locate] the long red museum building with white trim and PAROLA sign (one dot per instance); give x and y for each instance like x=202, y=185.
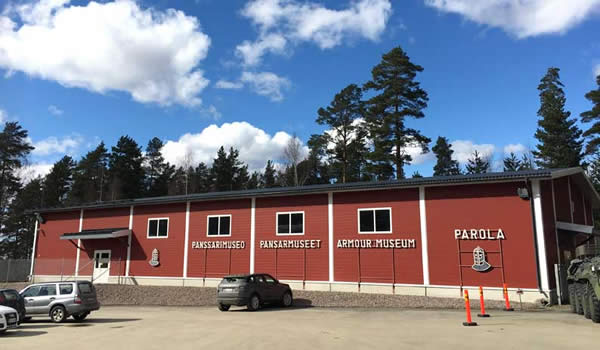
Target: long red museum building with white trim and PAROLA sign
x=424, y=236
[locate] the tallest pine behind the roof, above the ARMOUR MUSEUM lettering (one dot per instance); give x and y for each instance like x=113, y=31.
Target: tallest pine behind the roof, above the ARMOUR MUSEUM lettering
x=398, y=96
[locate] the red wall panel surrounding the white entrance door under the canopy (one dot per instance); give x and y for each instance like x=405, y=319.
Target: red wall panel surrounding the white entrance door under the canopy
x=100, y=219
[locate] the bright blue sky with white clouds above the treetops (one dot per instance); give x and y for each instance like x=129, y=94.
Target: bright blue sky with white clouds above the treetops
x=249, y=74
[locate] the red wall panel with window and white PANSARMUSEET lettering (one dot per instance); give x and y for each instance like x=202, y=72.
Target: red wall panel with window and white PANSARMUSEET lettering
x=289, y=263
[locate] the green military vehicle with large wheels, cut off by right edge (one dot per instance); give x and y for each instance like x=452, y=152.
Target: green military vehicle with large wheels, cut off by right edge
x=584, y=284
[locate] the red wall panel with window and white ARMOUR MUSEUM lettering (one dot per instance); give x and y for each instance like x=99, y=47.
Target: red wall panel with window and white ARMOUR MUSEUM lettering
x=376, y=263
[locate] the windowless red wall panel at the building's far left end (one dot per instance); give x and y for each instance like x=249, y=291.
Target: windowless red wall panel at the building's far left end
x=52, y=254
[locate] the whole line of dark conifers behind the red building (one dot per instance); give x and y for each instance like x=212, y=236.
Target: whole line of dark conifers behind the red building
x=366, y=140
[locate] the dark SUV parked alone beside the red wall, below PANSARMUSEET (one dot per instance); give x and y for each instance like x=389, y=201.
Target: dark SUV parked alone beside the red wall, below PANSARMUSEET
x=252, y=290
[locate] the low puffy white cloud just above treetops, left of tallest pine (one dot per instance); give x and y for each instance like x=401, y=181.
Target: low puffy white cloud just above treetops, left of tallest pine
x=254, y=144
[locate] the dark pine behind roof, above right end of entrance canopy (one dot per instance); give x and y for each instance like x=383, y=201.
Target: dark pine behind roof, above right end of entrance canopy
x=126, y=171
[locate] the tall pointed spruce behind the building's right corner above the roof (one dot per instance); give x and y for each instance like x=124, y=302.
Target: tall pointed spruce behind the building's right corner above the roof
x=559, y=138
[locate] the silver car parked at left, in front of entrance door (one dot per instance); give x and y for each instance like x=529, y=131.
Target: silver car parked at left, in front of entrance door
x=60, y=300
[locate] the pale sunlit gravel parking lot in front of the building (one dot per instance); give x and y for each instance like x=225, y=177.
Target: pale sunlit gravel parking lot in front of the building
x=124, y=327
